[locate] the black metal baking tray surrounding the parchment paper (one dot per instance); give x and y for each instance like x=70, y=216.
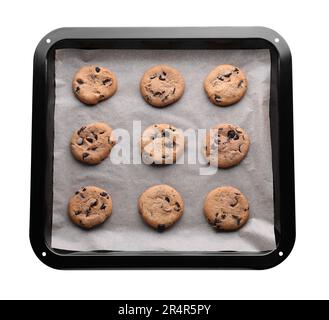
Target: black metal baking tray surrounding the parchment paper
x=281, y=127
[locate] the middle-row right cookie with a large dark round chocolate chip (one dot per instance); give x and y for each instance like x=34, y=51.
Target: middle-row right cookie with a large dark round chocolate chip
x=225, y=145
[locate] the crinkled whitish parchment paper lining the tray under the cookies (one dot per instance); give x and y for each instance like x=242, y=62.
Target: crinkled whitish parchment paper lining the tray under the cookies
x=125, y=229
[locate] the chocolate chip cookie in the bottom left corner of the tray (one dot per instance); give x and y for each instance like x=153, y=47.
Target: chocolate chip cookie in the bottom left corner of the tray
x=89, y=207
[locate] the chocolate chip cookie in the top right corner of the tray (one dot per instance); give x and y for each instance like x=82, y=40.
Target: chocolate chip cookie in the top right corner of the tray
x=225, y=85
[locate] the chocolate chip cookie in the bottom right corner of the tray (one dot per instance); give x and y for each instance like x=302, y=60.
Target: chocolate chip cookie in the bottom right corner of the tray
x=226, y=208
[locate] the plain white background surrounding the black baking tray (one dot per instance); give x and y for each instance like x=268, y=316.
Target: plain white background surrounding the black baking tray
x=304, y=274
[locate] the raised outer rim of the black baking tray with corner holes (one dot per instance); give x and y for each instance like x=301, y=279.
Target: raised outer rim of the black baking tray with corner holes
x=141, y=259
